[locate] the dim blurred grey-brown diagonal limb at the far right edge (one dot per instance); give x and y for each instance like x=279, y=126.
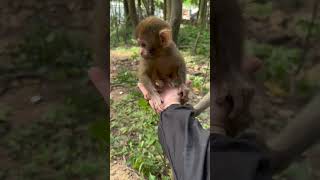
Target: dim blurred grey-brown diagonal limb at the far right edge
x=301, y=133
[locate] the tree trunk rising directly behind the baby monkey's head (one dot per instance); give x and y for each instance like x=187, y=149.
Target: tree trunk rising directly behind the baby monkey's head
x=175, y=18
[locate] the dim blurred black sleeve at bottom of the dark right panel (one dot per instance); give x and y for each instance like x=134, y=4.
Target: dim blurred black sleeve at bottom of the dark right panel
x=238, y=159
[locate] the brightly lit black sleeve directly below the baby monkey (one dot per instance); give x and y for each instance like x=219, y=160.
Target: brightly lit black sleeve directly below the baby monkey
x=185, y=143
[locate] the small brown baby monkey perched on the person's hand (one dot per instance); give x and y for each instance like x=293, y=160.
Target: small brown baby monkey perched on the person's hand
x=162, y=64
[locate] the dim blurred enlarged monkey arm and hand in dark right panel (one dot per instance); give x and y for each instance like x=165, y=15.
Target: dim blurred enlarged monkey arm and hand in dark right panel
x=229, y=84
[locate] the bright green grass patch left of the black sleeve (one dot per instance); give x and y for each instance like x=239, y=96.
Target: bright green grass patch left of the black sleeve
x=134, y=129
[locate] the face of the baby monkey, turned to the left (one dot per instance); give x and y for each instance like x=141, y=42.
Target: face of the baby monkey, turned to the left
x=147, y=49
